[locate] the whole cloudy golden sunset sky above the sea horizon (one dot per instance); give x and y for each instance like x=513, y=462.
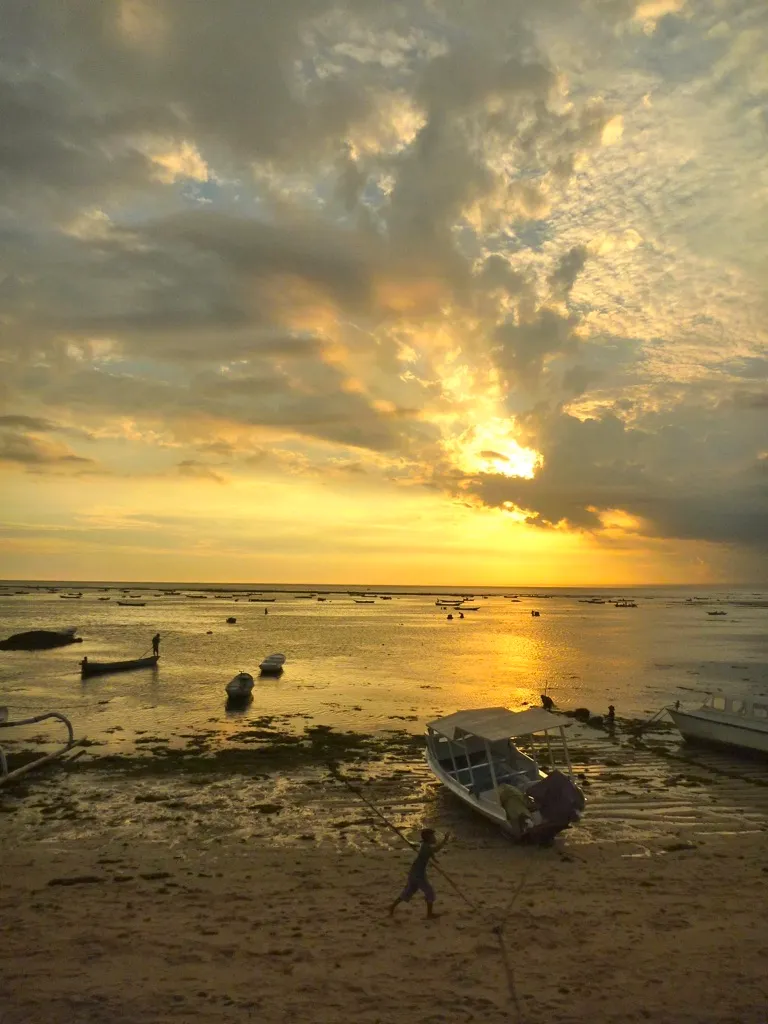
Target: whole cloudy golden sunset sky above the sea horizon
x=421, y=292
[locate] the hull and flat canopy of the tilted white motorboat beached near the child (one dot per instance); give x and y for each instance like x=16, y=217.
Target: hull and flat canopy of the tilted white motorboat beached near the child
x=473, y=753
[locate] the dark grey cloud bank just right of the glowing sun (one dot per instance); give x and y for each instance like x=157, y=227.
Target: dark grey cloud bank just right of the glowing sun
x=671, y=479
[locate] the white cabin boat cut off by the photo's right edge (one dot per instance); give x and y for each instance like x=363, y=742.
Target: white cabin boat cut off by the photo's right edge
x=727, y=721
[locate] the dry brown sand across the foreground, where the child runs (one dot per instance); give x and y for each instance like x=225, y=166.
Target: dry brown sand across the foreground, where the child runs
x=120, y=933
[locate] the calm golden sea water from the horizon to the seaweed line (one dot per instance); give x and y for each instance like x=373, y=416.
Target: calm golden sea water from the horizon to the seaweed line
x=394, y=664
